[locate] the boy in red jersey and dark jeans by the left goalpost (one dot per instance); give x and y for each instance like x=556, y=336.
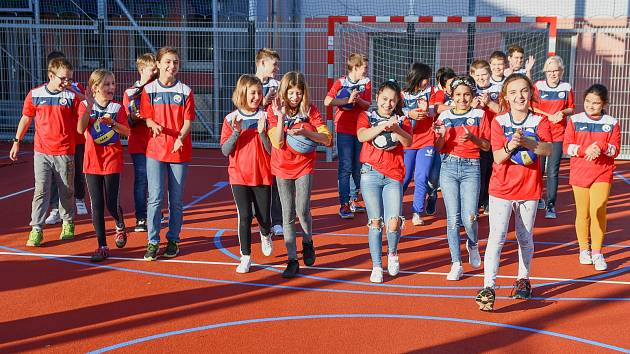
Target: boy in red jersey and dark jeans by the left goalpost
x=348, y=146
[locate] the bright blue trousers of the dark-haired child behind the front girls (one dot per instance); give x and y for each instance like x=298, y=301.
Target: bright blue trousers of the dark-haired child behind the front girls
x=418, y=164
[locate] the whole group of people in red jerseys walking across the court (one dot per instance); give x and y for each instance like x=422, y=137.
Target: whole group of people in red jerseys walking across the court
x=460, y=135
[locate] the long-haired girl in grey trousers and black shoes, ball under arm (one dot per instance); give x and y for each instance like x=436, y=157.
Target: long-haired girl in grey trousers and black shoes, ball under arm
x=293, y=170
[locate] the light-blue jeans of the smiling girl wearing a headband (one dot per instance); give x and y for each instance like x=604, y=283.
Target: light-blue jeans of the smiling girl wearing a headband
x=459, y=178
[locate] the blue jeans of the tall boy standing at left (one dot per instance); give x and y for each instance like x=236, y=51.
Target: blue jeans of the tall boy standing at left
x=156, y=170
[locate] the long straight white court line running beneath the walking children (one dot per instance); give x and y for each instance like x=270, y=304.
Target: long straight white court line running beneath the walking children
x=282, y=266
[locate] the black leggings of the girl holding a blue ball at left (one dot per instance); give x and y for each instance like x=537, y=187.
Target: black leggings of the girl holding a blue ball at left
x=104, y=188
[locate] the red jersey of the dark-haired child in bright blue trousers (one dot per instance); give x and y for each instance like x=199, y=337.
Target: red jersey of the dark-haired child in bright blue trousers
x=423, y=134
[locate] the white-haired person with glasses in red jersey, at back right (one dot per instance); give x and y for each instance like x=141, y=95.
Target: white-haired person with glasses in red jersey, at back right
x=554, y=99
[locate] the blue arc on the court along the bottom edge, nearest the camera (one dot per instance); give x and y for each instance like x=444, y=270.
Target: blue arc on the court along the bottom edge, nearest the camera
x=359, y=315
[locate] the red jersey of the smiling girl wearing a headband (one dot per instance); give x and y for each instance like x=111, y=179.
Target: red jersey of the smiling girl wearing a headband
x=475, y=120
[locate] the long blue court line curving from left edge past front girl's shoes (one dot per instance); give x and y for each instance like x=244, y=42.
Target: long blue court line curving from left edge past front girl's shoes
x=290, y=287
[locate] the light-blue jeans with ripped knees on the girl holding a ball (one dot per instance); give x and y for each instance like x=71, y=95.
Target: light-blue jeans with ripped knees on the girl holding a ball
x=383, y=201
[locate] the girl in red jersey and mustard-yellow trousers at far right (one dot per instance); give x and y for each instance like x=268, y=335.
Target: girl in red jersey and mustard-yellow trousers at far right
x=592, y=139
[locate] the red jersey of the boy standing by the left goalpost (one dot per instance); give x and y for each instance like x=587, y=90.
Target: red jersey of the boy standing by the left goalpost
x=346, y=121
